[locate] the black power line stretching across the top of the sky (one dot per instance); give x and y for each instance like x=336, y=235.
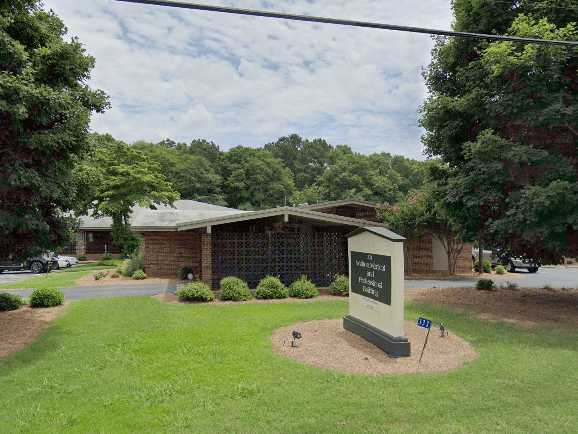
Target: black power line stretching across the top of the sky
x=352, y=23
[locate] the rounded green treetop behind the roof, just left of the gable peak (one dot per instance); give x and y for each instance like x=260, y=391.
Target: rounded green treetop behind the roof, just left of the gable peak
x=254, y=178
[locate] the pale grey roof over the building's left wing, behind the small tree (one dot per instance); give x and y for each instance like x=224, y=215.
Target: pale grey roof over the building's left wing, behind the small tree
x=164, y=217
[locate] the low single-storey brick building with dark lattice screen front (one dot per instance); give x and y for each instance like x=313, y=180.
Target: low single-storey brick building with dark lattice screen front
x=217, y=241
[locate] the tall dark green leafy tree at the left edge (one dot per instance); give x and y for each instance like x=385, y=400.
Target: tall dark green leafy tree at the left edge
x=45, y=109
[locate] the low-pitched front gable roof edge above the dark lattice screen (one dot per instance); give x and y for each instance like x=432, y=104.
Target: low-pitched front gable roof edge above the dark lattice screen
x=296, y=212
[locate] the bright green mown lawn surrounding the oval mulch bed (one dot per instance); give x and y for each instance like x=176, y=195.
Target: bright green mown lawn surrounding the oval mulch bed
x=138, y=365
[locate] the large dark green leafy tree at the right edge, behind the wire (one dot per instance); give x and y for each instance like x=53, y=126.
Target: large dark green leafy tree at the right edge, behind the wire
x=502, y=117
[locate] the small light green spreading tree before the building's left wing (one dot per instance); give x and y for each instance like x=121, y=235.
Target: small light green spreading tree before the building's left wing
x=115, y=178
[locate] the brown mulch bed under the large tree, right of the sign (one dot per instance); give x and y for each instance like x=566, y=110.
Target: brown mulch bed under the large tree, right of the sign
x=524, y=307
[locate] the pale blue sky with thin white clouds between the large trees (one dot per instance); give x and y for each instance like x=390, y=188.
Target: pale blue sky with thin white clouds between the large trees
x=182, y=74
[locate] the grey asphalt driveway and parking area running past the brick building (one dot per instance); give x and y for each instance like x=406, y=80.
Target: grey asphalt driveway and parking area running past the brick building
x=555, y=277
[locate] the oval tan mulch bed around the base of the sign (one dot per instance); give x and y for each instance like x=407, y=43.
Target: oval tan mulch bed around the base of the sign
x=326, y=344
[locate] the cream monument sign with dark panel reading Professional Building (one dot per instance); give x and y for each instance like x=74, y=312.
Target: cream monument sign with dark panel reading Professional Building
x=376, y=289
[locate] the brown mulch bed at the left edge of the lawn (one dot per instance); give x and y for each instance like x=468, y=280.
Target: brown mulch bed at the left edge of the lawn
x=19, y=328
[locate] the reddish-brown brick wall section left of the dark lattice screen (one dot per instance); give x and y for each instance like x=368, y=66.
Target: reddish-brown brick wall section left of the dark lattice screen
x=166, y=253
